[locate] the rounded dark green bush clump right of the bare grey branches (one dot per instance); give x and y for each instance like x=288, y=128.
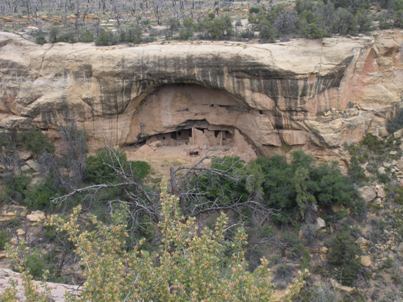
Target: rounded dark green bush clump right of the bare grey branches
x=292, y=187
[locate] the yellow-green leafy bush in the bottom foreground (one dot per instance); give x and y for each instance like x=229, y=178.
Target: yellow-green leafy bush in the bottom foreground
x=189, y=264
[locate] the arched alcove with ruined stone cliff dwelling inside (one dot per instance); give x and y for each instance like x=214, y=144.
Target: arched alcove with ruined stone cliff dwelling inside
x=189, y=121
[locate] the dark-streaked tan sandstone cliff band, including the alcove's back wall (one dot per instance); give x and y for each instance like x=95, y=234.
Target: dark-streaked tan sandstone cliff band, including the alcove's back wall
x=298, y=93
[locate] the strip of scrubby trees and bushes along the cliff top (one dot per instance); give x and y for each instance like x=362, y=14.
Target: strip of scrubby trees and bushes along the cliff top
x=136, y=22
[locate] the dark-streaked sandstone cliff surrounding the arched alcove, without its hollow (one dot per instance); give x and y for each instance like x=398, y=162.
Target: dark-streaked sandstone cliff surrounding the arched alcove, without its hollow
x=290, y=82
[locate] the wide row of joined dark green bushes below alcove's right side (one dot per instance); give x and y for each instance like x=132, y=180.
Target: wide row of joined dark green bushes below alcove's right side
x=288, y=188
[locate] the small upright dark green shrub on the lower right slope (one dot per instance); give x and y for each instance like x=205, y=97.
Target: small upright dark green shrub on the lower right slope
x=343, y=256
